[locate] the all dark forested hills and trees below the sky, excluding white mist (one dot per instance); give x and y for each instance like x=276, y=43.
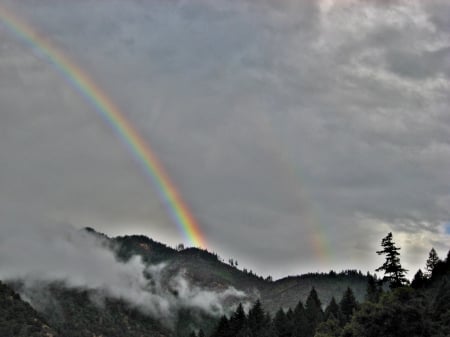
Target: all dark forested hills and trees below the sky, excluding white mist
x=345, y=304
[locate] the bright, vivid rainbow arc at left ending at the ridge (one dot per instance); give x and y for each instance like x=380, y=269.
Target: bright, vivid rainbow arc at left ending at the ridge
x=176, y=207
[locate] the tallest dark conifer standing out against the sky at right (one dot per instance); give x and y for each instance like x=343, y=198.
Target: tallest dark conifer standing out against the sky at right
x=393, y=271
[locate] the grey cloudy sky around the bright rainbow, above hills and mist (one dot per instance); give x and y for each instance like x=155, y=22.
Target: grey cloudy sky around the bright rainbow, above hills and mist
x=298, y=132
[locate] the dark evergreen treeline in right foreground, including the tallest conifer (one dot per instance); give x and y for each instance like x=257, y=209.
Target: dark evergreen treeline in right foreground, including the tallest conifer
x=392, y=307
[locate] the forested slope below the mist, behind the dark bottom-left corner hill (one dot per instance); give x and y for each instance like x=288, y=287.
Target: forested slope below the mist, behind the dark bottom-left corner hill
x=81, y=313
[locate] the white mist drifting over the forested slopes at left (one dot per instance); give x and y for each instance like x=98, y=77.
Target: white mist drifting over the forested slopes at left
x=42, y=255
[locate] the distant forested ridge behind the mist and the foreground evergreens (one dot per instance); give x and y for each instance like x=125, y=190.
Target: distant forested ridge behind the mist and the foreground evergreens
x=208, y=270
